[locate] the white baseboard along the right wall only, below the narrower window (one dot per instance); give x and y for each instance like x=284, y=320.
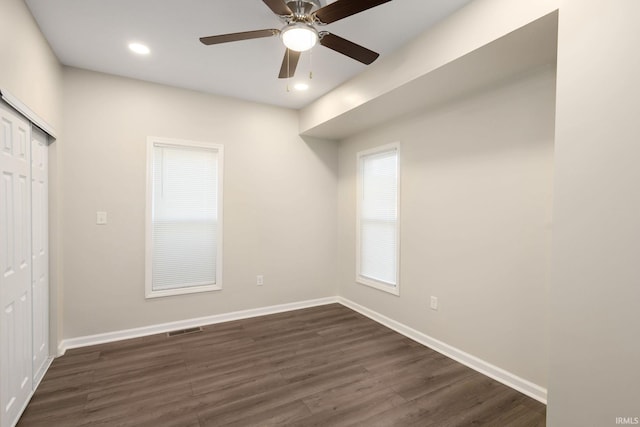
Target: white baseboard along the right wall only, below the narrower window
x=507, y=378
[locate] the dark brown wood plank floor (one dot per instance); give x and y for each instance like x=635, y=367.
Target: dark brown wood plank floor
x=322, y=366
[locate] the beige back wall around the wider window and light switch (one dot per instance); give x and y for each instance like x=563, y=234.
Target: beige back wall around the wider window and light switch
x=279, y=202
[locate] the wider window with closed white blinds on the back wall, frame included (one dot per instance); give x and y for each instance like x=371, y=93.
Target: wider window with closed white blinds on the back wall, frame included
x=184, y=217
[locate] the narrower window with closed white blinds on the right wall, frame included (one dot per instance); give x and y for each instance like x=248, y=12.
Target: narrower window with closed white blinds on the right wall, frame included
x=377, y=256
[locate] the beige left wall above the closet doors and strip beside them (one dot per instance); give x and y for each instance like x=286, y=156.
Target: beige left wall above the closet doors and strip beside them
x=30, y=71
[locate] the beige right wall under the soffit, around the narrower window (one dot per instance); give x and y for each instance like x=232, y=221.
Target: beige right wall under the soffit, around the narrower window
x=476, y=192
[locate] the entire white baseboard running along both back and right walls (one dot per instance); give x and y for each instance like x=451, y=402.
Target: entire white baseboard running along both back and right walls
x=507, y=378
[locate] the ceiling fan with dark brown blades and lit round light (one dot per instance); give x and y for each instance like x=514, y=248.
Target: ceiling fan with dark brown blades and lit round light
x=299, y=33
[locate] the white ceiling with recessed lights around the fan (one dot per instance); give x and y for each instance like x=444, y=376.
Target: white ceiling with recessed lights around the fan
x=94, y=34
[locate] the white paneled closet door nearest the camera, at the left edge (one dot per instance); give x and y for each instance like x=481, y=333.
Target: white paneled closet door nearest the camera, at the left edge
x=15, y=266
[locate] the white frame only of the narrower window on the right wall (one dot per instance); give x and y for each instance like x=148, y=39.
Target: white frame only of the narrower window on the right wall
x=361, y=279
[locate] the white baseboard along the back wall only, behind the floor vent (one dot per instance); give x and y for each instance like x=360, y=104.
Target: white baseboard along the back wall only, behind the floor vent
x=188, y=323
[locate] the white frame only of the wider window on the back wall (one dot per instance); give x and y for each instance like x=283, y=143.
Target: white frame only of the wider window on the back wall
x=149, y=291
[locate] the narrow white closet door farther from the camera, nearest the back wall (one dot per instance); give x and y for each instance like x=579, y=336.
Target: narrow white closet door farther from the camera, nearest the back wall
x=40, y=251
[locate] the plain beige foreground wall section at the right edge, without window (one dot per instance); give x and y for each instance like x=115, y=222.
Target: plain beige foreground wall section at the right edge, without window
x=595, y=293
